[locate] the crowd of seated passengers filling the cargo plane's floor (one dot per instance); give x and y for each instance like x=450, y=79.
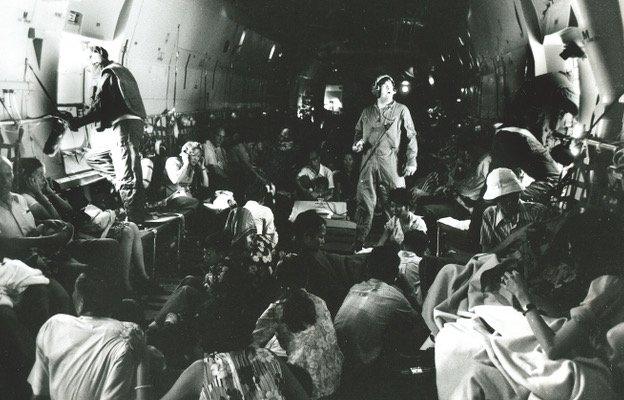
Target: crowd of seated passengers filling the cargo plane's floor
x=276, y=315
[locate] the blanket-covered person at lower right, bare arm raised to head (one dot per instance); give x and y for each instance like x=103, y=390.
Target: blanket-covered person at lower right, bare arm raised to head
x=534, y=356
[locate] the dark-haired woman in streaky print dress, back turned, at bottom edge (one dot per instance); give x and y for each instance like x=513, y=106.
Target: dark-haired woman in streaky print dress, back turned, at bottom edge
x=232, y=366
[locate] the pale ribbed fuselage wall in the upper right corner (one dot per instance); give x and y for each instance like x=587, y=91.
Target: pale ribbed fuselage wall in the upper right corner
x=511, y=37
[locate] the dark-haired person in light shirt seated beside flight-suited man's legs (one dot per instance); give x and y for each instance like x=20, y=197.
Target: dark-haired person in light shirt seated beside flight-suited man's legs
x=402, y=219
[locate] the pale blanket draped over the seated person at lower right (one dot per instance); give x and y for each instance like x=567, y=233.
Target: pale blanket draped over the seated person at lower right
x=474, y=363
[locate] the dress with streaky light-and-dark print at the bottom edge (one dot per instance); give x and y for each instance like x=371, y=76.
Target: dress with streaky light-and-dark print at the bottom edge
x=250, y=374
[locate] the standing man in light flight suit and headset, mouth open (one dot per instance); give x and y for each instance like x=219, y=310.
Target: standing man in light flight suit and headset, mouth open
x=378, y=135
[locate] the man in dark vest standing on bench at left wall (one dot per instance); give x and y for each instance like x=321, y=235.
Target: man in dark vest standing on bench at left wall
x=117, y=103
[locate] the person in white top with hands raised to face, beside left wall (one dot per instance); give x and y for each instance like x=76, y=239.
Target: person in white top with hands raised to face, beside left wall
x=187, y=177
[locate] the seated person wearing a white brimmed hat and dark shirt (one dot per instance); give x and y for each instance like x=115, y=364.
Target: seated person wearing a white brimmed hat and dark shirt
x=509, y=213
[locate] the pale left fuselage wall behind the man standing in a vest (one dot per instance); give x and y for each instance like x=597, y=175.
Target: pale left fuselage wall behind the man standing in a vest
x=190, y=50
